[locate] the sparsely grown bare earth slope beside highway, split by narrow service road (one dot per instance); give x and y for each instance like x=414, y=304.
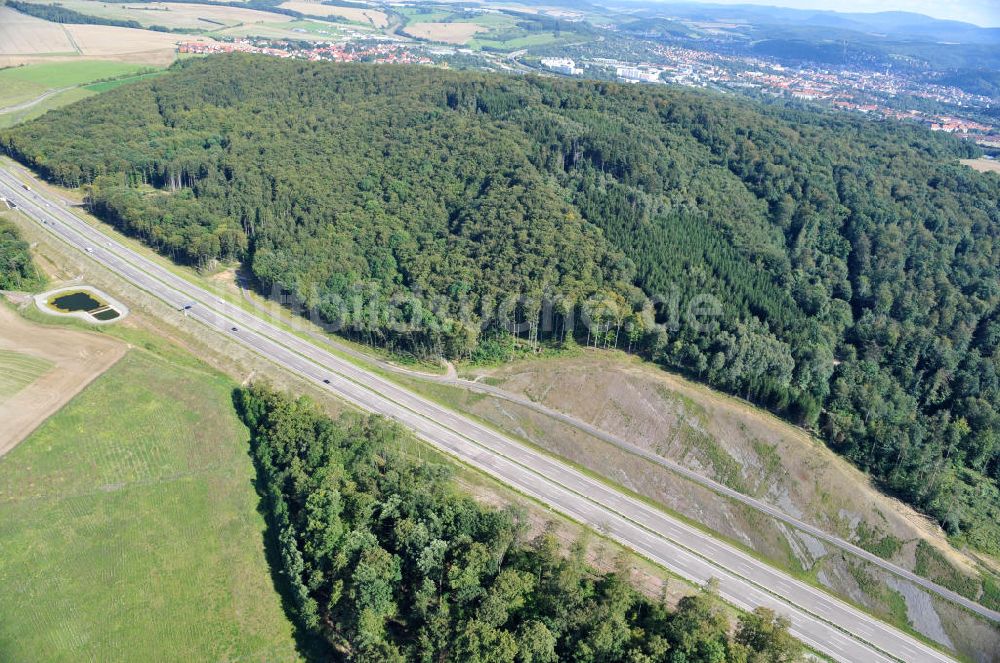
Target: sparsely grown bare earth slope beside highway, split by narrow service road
x=751, y=451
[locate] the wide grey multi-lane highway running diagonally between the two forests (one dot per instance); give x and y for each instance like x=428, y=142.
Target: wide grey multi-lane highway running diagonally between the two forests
x=825, y=623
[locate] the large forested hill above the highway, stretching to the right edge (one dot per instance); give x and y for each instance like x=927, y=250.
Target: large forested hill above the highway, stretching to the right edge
x=856, y=261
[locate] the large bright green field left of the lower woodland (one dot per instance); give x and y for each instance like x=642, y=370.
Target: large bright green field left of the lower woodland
x=129, y=528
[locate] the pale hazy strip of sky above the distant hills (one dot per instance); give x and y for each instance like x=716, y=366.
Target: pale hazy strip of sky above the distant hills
x=980, y=12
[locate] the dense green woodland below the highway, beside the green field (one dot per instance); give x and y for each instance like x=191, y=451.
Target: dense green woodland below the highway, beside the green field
x=388, y=563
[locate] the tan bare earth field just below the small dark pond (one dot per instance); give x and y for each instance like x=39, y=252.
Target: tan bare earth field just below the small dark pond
x=75, y=359
